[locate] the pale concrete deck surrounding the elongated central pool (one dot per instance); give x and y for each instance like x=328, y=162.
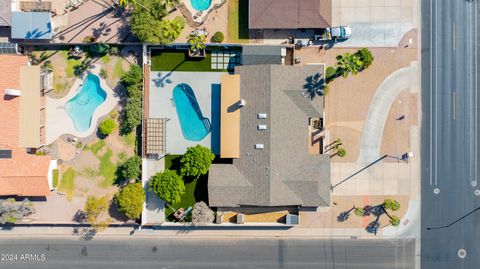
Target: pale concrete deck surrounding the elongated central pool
x=206, y=86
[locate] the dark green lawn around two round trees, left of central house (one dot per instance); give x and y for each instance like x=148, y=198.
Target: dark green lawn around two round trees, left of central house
x=195, y=189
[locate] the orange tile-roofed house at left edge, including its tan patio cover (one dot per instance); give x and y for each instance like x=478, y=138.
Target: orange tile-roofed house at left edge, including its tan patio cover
x=21, y=172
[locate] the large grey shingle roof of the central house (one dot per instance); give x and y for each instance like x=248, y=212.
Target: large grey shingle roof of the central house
x=282, y=173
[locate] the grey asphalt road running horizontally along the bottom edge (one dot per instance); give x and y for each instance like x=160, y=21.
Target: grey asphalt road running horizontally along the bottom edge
x=213, y=253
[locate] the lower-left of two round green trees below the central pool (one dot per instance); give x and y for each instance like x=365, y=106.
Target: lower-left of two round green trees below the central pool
x=168, y=185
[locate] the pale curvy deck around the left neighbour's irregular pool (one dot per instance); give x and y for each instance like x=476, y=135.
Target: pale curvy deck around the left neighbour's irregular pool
x=57, y=120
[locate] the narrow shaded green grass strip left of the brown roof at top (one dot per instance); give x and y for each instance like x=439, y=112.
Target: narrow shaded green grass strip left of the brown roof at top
x=238, y=21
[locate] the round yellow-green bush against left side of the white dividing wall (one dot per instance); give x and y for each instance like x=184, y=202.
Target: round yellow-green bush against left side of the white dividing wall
x=130, y=200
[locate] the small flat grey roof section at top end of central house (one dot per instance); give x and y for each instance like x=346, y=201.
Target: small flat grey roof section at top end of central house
x=261, y=54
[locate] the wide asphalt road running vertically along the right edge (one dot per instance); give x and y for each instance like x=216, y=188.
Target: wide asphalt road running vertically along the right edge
x=450, y=133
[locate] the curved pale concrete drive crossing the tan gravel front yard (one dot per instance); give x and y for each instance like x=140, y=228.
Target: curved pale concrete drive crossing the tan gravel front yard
x=386, y=93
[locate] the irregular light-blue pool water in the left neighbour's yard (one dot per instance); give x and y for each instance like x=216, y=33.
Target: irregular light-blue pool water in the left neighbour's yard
x=81, y=107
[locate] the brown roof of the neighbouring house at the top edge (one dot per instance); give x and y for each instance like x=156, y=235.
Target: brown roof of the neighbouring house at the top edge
x=289, y=14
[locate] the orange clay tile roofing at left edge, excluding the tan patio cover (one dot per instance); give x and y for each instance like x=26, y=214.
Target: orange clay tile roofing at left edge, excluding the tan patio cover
x=23, y=174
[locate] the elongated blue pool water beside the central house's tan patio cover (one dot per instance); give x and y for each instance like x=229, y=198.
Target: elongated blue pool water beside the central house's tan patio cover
x=195, y=127
